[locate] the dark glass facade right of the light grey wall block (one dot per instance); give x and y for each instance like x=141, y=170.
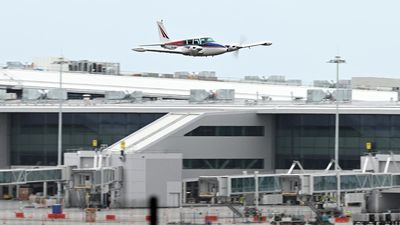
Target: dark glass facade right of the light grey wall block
x=310, y=138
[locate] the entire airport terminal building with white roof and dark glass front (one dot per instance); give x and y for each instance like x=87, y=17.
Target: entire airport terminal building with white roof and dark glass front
x=262, y=128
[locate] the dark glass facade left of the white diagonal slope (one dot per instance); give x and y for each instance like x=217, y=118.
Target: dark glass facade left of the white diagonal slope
x=33, y=136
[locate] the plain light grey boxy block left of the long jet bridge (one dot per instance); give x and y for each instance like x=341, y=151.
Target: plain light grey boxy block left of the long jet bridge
x=147, y=175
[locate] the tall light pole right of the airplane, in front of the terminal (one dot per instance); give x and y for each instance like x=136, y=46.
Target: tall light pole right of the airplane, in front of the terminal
x=338, y=60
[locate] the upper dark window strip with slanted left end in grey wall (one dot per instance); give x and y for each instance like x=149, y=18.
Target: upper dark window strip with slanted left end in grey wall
x=227, y=131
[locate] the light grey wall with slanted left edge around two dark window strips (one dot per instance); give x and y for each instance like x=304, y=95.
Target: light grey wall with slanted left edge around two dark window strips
x=219, y=147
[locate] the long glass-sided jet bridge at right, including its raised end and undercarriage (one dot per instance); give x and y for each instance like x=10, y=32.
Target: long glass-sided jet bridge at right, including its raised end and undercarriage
x=303, y=183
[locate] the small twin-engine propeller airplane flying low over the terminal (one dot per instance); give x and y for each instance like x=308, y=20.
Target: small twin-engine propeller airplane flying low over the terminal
x=203, y=46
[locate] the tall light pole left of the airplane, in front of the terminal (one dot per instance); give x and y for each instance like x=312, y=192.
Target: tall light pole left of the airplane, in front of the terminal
x=61, y=62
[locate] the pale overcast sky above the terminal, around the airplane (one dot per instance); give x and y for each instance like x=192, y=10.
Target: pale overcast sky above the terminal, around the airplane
x=305, y=34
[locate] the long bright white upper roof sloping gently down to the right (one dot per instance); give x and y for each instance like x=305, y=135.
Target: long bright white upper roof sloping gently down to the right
x=165, y=87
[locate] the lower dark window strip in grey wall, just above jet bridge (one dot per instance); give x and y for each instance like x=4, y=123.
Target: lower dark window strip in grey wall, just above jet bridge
x=223, y=163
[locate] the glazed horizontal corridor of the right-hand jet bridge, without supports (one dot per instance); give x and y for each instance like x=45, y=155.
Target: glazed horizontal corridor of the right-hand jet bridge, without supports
x=308, y=183
